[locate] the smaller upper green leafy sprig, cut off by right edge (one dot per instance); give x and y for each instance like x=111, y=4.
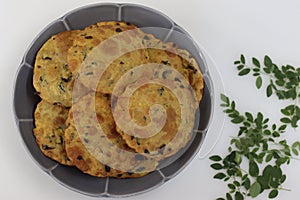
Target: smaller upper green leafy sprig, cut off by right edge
x=283, y=81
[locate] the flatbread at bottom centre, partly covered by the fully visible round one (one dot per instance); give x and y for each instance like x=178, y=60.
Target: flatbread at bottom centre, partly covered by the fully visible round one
x=86, y=148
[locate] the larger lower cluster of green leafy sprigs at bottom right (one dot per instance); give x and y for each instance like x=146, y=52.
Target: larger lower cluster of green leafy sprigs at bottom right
x=258, y=144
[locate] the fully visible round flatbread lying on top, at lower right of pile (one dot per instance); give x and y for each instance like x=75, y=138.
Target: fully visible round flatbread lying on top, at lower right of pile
x=171, y=138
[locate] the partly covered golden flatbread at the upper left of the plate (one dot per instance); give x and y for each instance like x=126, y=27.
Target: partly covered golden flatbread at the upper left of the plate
x=52, y=78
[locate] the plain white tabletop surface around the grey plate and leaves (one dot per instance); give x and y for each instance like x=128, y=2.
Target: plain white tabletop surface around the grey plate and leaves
x=224, y=28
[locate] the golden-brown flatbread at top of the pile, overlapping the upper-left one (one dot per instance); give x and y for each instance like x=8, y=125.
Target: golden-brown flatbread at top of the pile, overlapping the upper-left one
x=85, y=60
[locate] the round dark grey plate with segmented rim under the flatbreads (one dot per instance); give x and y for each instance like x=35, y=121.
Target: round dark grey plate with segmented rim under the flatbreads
x=25, y=100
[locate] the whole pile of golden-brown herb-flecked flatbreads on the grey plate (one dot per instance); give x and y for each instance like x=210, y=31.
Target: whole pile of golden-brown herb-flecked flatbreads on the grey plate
x=65, y=61
